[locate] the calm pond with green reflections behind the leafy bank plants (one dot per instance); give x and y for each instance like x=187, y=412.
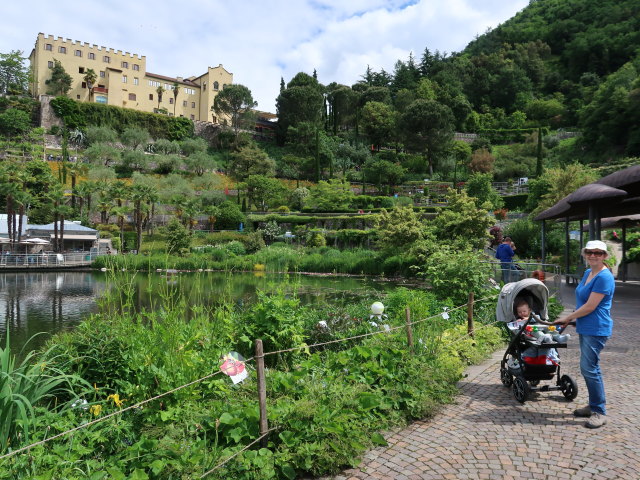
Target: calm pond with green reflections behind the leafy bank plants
x=44, y=303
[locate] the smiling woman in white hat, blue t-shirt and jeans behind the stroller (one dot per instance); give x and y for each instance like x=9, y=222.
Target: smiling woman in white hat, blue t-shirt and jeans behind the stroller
x=594, y=324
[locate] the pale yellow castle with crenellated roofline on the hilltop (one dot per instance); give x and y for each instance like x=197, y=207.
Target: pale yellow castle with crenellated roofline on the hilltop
x=123, y=80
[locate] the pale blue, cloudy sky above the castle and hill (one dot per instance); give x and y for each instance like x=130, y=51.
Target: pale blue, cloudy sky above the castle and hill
x=260, y=42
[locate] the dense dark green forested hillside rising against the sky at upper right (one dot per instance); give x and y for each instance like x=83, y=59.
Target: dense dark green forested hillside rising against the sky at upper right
x=557, y=63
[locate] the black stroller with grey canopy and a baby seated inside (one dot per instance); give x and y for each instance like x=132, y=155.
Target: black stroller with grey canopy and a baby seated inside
x=528, y=360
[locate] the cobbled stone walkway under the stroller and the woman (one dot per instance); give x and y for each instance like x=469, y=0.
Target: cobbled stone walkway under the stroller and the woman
x=487, y=434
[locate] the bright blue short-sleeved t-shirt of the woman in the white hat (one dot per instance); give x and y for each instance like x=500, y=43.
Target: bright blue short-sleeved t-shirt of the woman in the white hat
x=598, y=322
